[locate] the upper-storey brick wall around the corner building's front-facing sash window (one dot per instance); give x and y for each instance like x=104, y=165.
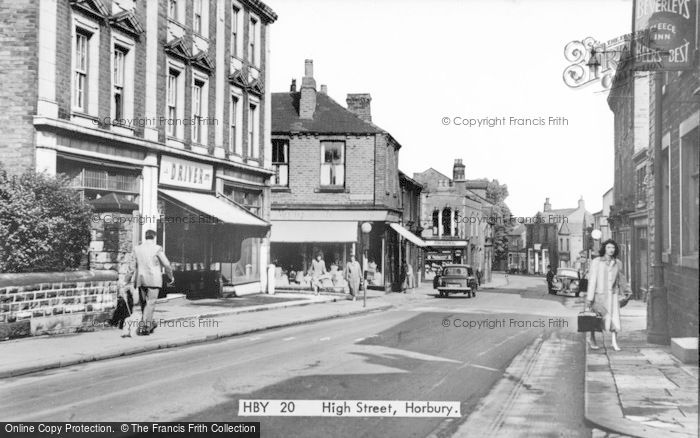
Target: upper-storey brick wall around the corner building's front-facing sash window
x=305, y=172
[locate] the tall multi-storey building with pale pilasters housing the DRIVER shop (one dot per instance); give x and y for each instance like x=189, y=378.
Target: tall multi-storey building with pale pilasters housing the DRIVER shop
x=162, y=103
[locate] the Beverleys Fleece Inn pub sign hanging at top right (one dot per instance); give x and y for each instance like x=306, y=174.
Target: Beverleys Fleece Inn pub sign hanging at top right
x=666, y=34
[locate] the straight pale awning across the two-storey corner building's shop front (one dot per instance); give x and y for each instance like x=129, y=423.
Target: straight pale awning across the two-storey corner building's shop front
x=313, y=231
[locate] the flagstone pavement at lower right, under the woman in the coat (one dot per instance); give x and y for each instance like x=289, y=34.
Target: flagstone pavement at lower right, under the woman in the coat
x=642, y=390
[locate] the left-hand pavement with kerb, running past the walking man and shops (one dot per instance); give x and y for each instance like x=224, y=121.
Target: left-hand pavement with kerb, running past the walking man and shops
x=181, y=322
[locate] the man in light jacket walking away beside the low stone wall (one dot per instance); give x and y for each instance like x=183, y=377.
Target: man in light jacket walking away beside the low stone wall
x=148, y=262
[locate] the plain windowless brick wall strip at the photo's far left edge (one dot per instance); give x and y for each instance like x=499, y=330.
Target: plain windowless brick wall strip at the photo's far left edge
x=18, y=79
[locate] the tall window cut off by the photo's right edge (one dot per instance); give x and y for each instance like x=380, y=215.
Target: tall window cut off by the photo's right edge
x=690, y=166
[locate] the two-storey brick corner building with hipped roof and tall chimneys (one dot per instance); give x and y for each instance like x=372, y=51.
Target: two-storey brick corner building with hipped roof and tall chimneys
x=335, y=171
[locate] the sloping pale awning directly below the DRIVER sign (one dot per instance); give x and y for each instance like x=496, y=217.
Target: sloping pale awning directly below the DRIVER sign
x=210, y=205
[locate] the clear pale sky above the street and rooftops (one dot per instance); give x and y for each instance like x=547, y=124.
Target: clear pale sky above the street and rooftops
x=423, y=61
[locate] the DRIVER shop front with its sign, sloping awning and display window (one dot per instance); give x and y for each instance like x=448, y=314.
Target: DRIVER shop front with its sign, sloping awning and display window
x=212, y=242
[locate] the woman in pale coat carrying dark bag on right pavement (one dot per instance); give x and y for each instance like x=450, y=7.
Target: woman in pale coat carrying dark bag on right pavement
x=605, y=281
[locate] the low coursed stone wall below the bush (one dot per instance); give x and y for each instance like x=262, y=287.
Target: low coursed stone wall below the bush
x=55, y=302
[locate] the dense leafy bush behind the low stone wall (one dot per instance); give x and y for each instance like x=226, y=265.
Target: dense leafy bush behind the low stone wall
x=43, y=225
